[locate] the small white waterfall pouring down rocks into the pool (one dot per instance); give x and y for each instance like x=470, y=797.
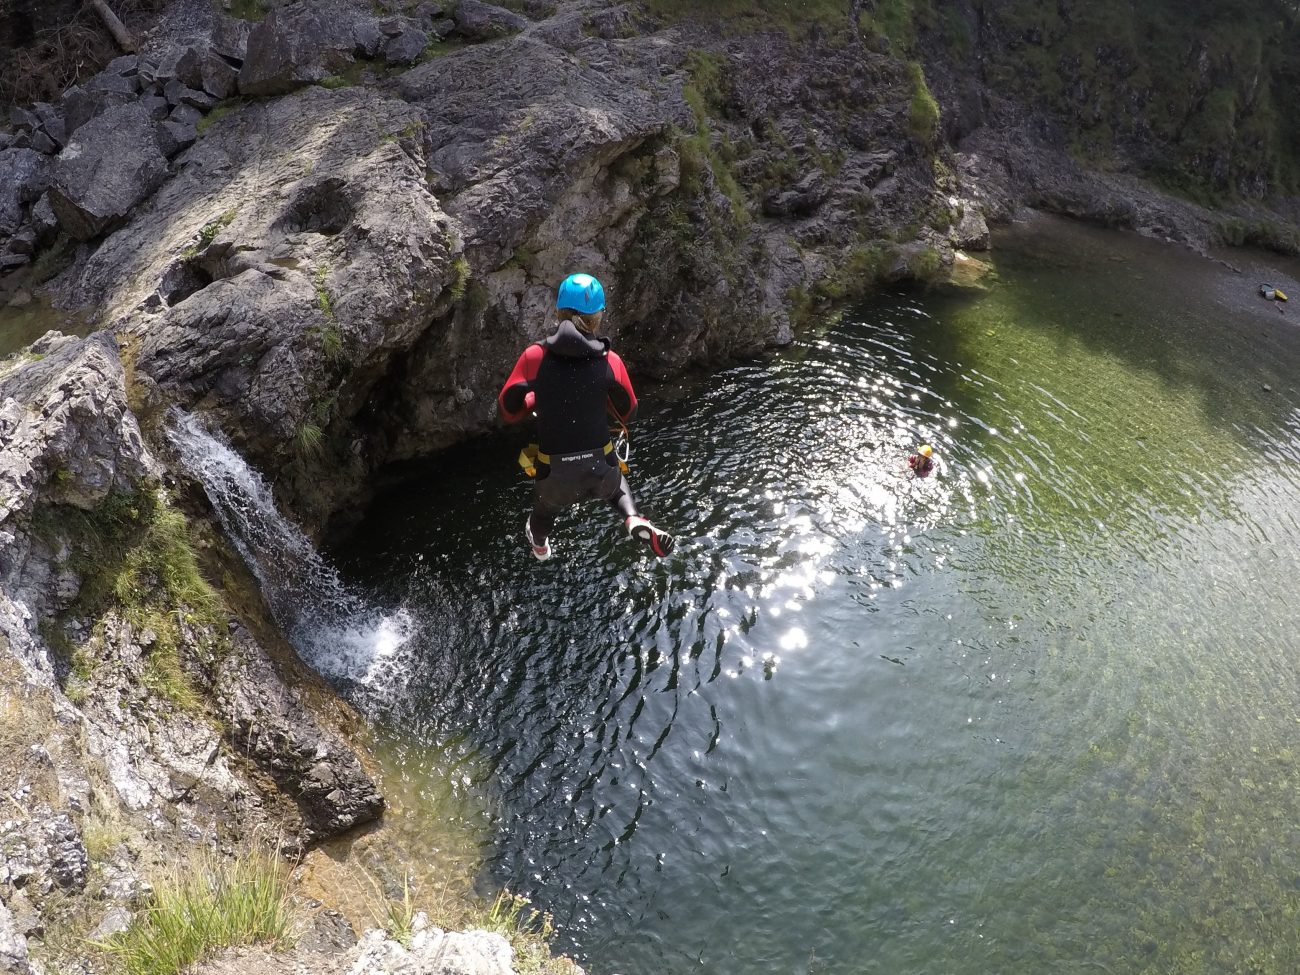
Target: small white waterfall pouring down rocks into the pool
x=333, y=629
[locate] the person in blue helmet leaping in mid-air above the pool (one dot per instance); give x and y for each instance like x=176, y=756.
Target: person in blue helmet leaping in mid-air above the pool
x=573, y=380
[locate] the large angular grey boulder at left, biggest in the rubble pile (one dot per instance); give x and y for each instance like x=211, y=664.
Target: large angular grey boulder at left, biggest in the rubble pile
x=111, y=164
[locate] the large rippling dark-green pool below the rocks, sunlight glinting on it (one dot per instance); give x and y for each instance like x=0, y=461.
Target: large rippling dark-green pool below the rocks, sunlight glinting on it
x=1035, y=714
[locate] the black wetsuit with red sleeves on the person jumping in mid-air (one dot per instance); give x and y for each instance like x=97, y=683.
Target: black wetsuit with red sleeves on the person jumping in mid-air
x=573, y=380
